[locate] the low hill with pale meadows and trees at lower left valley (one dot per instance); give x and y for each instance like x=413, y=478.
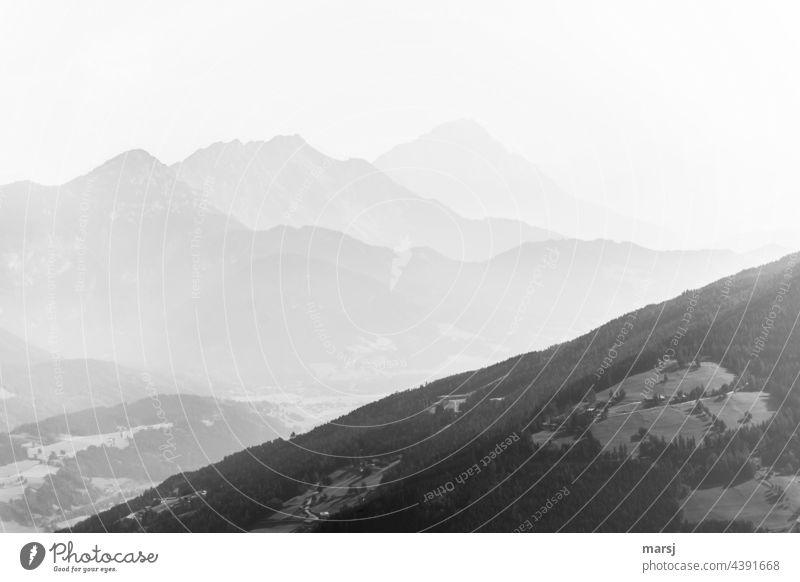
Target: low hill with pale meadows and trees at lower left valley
x=65, y=467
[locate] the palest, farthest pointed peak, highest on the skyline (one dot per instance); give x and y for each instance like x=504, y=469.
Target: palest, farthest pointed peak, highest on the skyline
x=461, y=165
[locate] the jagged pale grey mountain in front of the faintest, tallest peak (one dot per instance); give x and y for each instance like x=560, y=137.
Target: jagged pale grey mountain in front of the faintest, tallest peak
x=286, y=182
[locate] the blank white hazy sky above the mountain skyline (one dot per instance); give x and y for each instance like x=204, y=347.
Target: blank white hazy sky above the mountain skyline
x=688, y=112
